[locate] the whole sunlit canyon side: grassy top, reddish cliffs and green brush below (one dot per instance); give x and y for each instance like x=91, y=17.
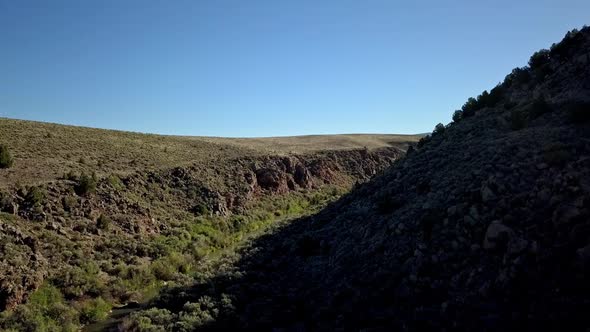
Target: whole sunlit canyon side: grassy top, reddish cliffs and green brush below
x=118, y=226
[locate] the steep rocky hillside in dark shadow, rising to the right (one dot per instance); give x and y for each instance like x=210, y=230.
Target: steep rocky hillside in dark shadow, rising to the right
x=485, y=225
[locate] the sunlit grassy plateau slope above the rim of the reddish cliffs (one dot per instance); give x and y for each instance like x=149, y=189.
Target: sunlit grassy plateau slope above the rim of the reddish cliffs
x=45, y=152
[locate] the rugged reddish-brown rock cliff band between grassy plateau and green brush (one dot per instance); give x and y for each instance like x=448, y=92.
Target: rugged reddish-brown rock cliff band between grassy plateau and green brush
x=151, y=204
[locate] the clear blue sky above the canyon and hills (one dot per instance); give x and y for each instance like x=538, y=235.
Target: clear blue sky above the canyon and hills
x=265, y=68
